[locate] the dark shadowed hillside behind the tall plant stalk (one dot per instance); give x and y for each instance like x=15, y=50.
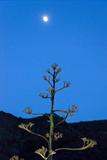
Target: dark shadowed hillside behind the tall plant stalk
x=15, y=141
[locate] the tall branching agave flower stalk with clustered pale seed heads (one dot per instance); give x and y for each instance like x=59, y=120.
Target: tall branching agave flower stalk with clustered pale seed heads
x=47, y=152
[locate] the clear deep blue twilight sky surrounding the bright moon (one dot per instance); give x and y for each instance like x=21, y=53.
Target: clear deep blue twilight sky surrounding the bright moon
x=75, y=37
